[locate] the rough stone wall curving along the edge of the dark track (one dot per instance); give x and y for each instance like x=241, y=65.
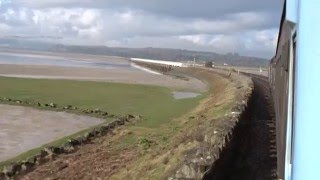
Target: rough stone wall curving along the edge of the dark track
x=200, y=160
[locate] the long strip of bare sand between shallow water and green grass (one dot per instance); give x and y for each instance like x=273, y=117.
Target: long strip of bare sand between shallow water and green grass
x=103, y=75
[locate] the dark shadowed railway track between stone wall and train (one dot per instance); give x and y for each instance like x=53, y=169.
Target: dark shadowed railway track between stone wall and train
x=252, y=154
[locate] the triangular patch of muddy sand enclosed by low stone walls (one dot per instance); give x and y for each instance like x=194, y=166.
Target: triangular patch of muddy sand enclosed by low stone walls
x=25, y=128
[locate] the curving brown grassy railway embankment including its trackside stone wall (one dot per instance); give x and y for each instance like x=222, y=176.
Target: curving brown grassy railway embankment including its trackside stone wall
x=185, y=147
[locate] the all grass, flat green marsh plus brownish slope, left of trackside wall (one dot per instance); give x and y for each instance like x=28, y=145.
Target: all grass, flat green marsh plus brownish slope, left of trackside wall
x=151, y=148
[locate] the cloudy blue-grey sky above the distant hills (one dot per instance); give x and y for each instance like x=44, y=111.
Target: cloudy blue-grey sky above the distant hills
x=247, y=27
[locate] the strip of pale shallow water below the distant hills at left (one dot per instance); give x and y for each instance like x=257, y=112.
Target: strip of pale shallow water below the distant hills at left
x=27, y=59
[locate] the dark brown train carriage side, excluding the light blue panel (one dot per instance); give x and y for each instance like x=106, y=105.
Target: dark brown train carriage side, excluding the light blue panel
x=280, y=78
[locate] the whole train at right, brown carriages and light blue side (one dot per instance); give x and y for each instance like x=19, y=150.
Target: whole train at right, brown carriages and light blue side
x=293, y=82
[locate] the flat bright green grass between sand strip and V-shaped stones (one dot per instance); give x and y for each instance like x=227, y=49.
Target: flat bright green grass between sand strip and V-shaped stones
x=154, y=103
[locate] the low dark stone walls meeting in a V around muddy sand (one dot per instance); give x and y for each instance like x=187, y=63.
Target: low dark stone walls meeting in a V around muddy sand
x=48, y=153
